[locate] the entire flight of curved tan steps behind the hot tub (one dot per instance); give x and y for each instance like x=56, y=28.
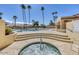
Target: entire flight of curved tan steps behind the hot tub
x=48, y=36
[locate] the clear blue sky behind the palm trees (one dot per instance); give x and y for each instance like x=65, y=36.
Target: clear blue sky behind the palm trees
x=10, y=10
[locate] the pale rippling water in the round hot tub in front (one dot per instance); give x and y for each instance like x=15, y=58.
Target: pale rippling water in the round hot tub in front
x=34, y=49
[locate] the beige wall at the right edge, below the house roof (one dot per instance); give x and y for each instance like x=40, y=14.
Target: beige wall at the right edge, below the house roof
x=74, y=35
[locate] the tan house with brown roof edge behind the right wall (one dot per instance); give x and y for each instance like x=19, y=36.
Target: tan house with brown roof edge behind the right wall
x=61, y=24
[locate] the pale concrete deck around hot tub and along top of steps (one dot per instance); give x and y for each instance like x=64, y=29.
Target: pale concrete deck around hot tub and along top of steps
x=13, y=49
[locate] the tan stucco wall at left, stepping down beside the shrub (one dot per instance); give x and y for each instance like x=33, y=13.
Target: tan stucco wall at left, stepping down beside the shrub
x=5, y=40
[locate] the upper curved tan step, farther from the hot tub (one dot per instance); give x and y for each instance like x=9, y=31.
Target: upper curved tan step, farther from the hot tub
x=38, y=35
